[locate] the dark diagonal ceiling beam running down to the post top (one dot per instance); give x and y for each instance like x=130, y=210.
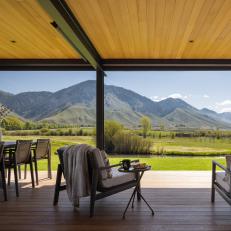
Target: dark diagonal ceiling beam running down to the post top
x=67, y=25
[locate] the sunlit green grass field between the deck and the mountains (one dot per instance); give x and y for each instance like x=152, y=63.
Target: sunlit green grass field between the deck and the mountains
x=203, y=146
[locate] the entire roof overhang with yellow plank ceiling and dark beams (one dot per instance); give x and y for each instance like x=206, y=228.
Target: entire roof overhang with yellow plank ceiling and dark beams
x=115, y=35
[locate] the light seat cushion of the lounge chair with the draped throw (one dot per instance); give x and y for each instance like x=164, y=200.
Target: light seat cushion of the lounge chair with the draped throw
x=118, y=178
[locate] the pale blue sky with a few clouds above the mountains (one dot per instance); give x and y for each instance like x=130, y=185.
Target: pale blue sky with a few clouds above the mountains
x=210, y=89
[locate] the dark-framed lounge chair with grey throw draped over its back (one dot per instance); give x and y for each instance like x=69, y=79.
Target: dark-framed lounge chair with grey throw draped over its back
x=99, y=188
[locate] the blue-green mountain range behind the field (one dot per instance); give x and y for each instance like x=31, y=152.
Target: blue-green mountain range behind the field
x=76, y=105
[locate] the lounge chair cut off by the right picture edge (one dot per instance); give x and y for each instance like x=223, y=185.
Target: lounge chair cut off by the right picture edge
x=221, y=182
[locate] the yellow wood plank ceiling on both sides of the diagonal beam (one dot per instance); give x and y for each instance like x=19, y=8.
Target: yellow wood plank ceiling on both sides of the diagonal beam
x=121, y=29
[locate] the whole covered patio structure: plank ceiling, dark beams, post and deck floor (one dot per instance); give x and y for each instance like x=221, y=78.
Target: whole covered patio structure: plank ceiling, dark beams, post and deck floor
x=117, y=35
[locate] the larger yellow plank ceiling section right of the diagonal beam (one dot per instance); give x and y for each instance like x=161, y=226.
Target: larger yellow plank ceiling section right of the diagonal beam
x=157, y=28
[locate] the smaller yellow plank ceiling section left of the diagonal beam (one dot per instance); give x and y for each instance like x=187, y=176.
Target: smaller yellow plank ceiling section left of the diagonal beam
x=26, y=33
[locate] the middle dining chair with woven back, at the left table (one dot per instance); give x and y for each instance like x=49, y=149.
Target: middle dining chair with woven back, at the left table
x=20, y=156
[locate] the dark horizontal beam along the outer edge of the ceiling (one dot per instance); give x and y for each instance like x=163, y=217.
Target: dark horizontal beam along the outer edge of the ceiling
x=118, y=64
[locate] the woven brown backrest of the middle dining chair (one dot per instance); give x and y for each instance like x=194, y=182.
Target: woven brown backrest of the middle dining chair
x=23, y=151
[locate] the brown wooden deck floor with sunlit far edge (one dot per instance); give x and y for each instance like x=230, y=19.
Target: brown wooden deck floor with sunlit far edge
x=181, y=201
